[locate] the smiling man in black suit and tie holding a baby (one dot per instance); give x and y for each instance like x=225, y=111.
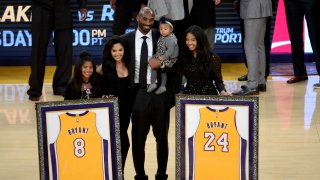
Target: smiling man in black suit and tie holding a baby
x=149, y=109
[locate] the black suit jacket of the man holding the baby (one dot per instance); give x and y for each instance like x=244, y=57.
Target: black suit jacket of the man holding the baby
x=130, y=48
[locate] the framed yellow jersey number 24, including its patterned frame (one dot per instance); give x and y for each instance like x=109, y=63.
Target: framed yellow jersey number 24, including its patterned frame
x=216, y=137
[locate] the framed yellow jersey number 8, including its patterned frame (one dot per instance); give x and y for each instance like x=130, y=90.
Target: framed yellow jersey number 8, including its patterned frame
x=79, y=139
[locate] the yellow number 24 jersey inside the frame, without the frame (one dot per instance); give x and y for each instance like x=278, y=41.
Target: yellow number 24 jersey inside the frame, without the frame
x=217, y=146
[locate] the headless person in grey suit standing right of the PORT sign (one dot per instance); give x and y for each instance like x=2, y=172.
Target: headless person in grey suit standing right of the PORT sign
x=255, y=21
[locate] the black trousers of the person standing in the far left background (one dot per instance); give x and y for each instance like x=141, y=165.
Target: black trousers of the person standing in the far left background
x=42, y=27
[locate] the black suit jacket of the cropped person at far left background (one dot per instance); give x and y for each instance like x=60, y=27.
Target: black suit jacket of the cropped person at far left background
x=61, y=10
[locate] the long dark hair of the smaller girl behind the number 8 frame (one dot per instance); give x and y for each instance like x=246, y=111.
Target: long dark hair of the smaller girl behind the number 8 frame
x=77, y=74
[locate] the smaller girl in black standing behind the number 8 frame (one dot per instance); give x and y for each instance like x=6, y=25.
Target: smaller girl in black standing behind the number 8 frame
x=86, y=82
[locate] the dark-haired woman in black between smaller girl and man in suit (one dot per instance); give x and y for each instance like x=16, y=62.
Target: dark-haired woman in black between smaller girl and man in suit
x=115, y=62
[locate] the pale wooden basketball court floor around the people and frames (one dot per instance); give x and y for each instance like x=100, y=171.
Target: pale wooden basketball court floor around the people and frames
x=289, y=128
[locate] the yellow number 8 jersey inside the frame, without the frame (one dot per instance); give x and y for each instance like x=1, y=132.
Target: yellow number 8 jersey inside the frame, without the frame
x=79, y=148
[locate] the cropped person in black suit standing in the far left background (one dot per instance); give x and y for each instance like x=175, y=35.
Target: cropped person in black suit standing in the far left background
x=52, y=16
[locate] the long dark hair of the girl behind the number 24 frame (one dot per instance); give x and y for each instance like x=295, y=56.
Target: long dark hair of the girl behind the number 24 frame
x=204, y=53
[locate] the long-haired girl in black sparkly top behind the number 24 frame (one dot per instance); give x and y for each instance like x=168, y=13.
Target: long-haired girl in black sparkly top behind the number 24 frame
x=199, y=66
